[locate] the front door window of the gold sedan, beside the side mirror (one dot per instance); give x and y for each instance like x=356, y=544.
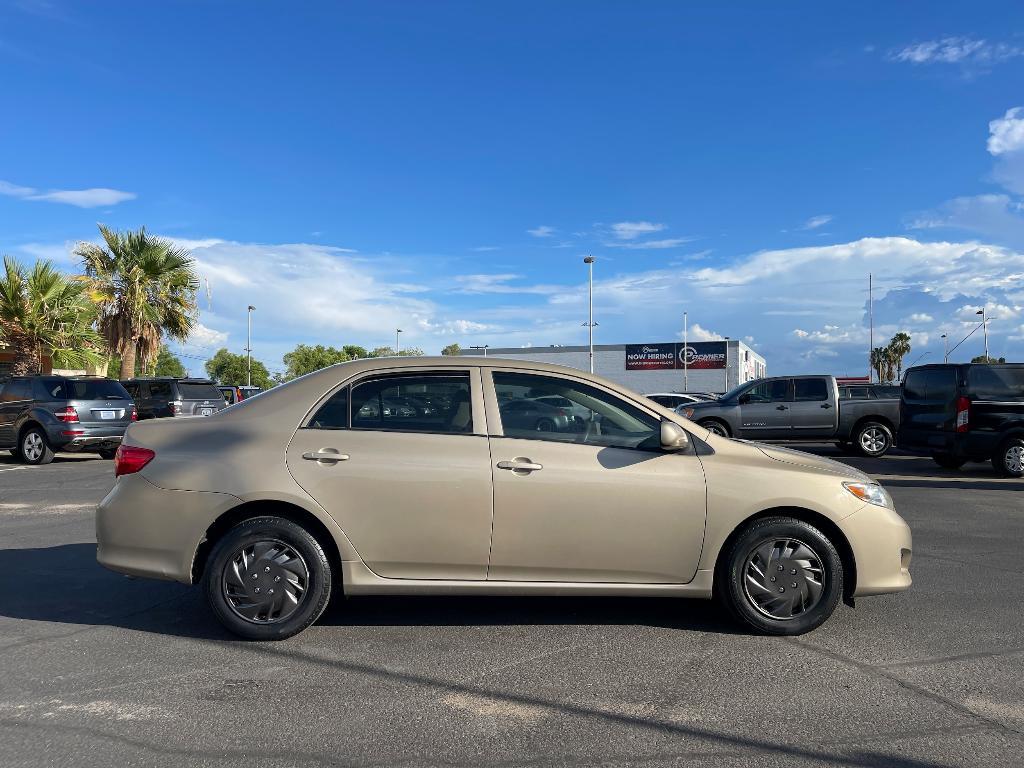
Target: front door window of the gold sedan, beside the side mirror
x=595, y=418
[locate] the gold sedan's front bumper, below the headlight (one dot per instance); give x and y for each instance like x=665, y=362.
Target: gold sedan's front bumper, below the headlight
x=882, y=548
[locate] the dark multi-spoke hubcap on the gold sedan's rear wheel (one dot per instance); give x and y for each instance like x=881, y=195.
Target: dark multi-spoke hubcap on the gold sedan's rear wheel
x=266, y=582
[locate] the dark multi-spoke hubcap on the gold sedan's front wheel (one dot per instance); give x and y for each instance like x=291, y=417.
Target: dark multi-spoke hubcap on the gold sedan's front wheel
x=784, y=578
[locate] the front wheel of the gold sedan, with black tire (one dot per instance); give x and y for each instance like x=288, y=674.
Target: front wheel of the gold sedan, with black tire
x=737, y=593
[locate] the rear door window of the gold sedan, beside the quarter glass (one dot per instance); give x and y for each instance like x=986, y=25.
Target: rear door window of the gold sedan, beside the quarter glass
x=422, y=403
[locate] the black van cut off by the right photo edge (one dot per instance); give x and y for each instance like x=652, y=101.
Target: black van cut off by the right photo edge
x=962, y=413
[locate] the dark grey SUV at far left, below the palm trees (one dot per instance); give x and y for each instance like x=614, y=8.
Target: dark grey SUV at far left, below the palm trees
x=41, y=415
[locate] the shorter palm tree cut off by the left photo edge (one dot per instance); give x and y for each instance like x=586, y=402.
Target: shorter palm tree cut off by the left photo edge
x=47, y=314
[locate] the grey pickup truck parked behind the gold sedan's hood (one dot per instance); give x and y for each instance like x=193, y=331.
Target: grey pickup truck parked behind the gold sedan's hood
x=802, y=408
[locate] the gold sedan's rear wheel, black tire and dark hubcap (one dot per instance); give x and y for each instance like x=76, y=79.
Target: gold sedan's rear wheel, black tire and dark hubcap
x=268, y=579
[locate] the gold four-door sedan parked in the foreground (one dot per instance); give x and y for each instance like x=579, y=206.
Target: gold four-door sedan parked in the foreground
x=281, y=500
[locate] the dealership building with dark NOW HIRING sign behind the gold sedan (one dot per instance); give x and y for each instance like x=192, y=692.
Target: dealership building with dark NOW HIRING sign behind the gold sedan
x=708, y=366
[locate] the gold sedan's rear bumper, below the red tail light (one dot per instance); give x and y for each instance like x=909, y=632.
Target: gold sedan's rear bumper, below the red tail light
x=147, y=531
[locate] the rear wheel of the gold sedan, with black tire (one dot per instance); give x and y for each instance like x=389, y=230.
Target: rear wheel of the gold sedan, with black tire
x=275, y=532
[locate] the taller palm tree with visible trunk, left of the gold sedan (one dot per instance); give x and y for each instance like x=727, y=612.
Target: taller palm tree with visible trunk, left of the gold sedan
x=145, y=287
